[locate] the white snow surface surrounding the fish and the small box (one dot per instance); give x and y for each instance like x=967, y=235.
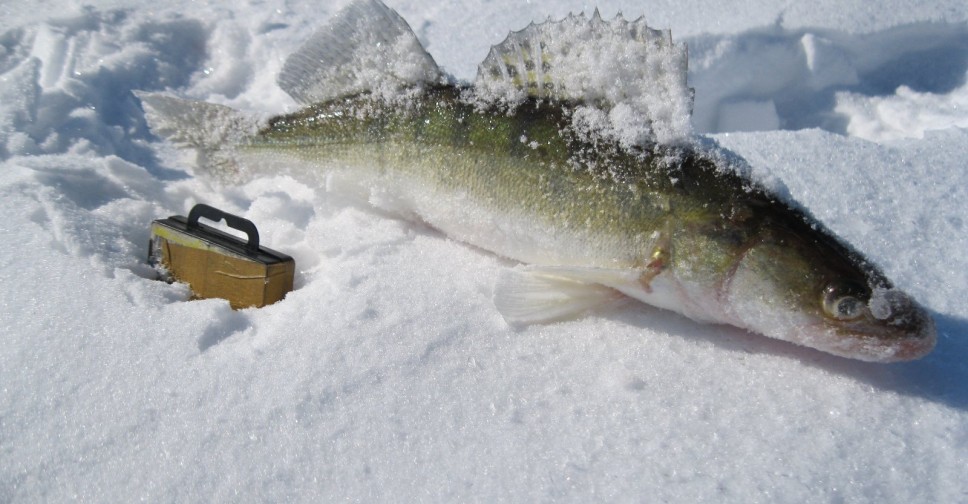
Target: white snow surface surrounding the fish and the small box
x=387, y=375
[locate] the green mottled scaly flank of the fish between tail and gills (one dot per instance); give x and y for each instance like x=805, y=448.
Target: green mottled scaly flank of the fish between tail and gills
x=480, y=164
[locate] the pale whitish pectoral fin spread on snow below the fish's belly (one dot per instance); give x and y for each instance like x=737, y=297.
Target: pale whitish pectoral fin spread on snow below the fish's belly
x=529, y=295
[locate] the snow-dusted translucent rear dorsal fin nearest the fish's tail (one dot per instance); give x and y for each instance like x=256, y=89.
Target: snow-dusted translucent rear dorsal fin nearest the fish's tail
x=366, y=47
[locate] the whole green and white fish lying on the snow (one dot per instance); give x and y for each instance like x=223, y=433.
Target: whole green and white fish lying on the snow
x=570, y=154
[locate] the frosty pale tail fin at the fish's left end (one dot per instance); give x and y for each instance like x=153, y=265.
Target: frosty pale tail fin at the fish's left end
x=214, y=131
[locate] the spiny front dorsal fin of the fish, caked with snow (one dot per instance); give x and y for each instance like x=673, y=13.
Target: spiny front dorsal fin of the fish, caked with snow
x=596, y=62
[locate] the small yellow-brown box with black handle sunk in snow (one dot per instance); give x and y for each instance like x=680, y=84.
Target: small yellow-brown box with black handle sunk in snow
x=218, y=265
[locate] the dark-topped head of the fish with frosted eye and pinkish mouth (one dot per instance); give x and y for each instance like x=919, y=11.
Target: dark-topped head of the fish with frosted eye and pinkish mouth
x=801, y=284
